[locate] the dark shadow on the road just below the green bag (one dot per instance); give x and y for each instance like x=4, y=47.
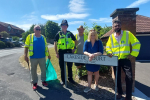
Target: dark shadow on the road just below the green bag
x=55, y=91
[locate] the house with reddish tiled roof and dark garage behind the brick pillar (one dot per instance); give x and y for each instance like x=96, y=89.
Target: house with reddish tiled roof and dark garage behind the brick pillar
x=143, y=35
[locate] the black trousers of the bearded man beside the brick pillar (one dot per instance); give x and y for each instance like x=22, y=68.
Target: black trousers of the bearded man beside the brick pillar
x=126, y=66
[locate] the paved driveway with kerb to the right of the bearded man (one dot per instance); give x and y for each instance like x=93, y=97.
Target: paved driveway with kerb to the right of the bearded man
x=142, y=81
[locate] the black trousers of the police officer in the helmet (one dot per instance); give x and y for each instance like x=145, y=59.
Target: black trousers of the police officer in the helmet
x=61, y=64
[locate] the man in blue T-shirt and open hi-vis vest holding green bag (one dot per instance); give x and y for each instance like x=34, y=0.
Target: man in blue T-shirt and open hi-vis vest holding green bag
x=37, y=46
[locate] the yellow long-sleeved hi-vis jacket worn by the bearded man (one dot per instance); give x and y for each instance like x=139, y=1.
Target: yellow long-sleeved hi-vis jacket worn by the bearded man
x=122, y=49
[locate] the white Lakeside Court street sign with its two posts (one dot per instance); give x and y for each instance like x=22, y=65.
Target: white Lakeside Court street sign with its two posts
x=99, y=60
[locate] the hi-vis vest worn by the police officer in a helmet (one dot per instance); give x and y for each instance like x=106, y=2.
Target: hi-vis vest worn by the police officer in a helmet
x=65, y=41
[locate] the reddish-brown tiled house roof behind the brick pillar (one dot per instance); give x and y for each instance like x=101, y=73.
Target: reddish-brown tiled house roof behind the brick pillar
x=142, y=25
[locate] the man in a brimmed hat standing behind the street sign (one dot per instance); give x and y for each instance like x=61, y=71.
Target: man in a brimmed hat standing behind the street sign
x=81, y=38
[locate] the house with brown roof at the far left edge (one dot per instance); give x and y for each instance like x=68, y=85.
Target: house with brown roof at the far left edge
x=11, y=29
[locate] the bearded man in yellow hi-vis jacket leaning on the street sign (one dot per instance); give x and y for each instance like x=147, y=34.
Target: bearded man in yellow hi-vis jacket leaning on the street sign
x=118, y=44
